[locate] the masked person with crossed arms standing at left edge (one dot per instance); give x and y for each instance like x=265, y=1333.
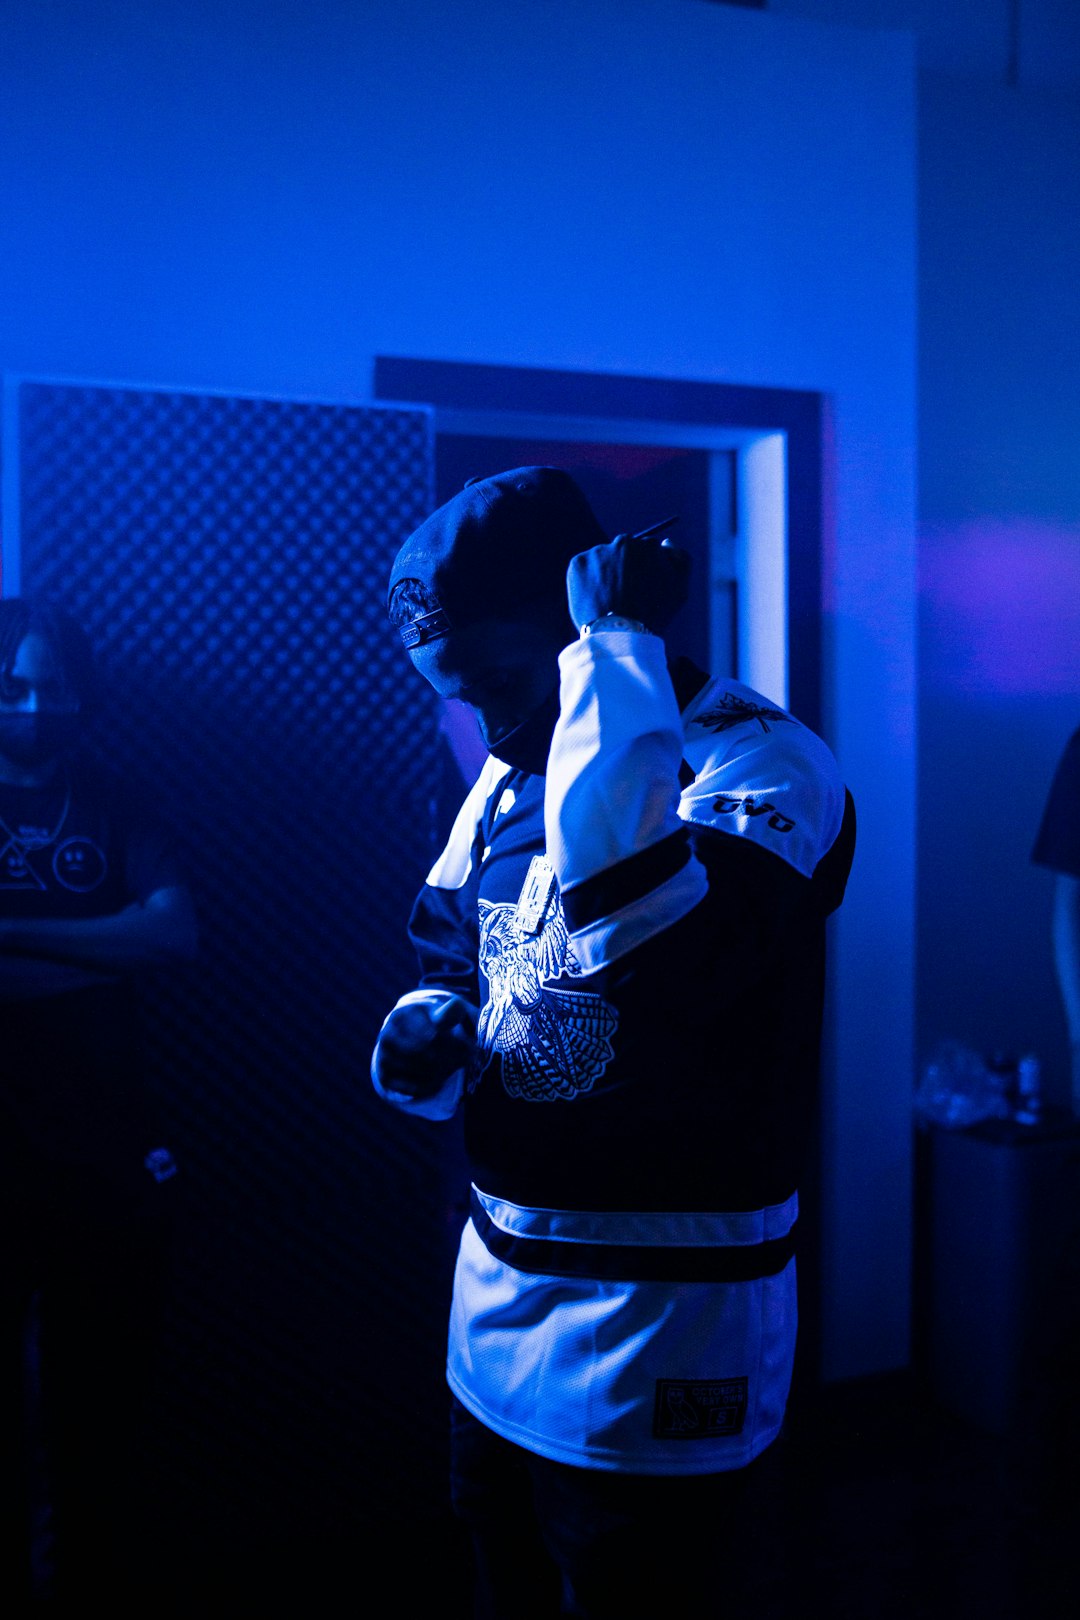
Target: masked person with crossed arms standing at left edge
x=90, y=895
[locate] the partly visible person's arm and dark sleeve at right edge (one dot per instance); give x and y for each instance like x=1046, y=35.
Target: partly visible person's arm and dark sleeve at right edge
x=1058, y=846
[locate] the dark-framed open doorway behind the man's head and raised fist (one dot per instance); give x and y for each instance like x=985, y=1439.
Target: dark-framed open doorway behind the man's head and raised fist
x=741, y=467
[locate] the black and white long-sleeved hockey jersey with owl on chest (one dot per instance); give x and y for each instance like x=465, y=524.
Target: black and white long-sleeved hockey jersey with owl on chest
x=644, y=932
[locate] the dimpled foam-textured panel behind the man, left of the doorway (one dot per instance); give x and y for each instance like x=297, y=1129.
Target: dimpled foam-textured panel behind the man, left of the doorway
x=229, y=558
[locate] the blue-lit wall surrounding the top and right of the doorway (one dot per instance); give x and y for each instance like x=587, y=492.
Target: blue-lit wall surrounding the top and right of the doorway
x=261, y=195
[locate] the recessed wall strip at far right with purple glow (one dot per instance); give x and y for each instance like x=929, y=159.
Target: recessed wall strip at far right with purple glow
x=1000, y=552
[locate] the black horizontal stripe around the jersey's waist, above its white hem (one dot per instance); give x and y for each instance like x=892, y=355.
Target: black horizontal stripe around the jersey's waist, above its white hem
x=634, y=1263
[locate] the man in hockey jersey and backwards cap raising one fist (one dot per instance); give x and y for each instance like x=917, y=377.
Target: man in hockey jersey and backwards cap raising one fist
x=623, y=957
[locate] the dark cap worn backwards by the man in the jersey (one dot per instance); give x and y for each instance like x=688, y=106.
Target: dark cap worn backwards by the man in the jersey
x=498, y=550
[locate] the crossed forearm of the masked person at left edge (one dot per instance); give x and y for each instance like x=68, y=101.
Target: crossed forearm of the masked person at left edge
x=156, y=934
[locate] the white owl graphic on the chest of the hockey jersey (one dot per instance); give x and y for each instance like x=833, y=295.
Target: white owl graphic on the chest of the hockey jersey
x=553, y=1044
